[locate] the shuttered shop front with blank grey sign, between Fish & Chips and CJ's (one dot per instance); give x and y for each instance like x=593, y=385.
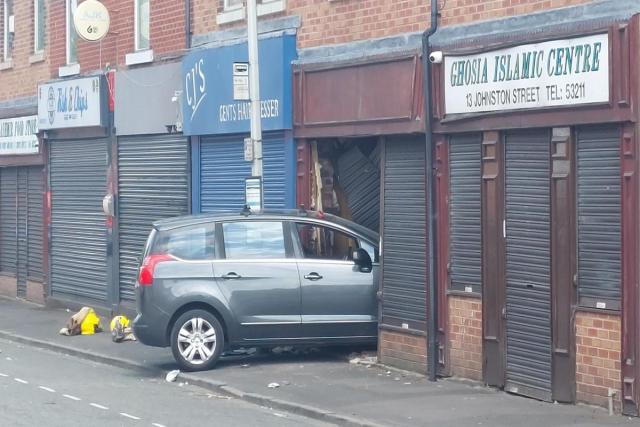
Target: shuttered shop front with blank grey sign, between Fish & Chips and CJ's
x=152, y=162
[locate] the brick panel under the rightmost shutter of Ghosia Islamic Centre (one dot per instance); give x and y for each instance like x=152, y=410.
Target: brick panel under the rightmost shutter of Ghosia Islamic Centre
x=598, y=345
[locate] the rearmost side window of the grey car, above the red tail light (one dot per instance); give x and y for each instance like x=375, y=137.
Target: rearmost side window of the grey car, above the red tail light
x=191, y=244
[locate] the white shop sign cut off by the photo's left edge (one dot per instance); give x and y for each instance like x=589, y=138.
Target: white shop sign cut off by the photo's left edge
x=18, y=135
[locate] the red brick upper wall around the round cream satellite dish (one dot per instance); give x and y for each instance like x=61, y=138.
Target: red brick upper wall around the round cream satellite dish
x=166, y=34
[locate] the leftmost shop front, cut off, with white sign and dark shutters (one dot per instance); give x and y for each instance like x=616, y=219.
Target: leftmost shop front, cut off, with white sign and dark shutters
x=21, y=201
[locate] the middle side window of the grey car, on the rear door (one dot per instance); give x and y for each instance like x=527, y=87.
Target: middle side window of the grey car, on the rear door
x=254, y=240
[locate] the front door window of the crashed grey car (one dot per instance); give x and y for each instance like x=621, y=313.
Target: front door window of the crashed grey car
x=319, y=242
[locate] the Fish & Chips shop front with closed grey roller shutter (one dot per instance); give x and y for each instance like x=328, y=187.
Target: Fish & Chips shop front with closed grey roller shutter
x=73, y=116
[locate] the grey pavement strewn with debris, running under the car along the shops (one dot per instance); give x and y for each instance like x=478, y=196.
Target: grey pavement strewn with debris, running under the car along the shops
x=322, y=385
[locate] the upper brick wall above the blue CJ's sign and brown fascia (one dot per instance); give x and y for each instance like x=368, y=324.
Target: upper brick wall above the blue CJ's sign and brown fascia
x=327, y=22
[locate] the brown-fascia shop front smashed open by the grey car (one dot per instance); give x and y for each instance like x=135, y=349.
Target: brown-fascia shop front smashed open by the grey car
x=361, y=155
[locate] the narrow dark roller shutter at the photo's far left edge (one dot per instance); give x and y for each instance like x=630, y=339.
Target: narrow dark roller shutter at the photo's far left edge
x=8, y=220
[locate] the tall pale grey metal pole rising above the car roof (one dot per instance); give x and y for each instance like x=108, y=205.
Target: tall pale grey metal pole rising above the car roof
x=254, y=88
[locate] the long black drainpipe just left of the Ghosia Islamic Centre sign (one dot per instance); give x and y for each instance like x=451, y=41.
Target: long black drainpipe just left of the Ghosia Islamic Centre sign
x=432, y=326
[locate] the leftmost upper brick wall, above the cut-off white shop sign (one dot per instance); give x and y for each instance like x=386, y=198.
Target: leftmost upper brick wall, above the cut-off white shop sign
x=22, y=78
